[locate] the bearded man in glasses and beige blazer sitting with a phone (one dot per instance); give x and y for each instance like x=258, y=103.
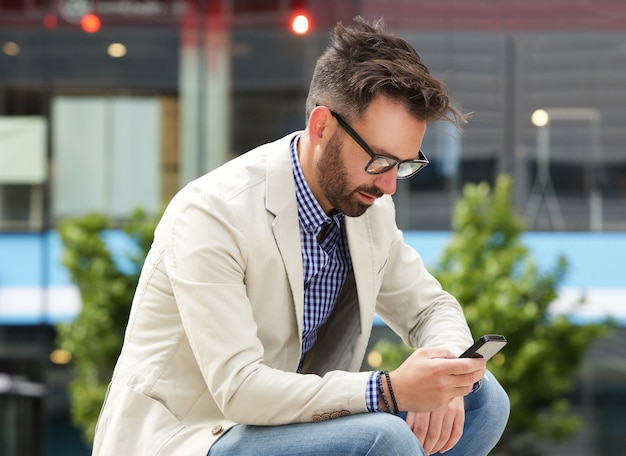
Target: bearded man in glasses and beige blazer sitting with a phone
x=255, y=304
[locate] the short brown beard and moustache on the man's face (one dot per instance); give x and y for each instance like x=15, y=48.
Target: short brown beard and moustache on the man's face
x=334, y=182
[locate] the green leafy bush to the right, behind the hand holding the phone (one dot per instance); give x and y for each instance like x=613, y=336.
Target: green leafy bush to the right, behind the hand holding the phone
x=490, y=271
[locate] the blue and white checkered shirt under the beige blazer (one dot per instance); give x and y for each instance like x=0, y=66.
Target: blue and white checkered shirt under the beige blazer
x=325, y=264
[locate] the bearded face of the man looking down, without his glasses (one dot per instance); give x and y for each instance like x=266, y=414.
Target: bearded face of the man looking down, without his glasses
x=389, y=130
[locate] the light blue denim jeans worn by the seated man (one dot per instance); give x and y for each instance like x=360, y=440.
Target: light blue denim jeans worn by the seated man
x=373, y=434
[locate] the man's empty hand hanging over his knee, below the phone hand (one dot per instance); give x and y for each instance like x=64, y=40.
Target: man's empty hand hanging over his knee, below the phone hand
x=441, y=429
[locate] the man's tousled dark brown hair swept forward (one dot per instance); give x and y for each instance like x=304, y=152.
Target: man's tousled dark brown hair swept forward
x=363, y=61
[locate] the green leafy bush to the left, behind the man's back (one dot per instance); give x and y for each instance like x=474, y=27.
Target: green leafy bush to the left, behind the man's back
x=106, y=281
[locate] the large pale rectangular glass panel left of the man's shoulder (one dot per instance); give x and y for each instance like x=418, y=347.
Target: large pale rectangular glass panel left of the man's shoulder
x=108, y=155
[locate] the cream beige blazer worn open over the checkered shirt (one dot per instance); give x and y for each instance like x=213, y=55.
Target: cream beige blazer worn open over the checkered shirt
x=214, y=333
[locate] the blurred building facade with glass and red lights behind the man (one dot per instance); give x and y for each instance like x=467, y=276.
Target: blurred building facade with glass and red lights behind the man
x=106, y=105
